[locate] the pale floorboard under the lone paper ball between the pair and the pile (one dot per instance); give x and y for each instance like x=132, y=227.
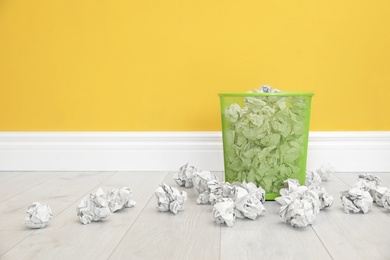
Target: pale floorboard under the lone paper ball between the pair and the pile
x=191, y=234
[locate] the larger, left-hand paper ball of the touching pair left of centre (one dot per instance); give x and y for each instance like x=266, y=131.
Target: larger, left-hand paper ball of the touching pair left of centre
x=94, y=207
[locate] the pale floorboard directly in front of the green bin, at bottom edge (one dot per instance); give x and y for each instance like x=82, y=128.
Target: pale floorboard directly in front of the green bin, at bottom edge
x=268, y=237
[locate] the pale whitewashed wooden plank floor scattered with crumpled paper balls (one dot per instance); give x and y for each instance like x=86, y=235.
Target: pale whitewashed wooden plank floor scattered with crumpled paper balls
x=144, y=233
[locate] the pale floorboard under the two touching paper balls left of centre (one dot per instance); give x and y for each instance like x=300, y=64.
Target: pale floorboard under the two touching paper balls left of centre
x=68, y=238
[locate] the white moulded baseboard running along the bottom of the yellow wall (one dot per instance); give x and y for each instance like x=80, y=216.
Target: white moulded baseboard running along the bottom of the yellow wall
x=167, y=151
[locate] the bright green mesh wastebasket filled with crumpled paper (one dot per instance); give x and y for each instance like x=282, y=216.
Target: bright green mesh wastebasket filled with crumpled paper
x=265, y=137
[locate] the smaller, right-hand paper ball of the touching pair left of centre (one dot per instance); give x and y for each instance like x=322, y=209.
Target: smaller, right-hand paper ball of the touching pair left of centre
x=120, y=198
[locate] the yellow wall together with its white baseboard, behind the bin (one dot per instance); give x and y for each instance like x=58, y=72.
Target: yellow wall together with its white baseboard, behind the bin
x=136, y=78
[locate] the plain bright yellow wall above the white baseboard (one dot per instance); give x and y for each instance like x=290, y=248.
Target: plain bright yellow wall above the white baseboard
x=158, y=65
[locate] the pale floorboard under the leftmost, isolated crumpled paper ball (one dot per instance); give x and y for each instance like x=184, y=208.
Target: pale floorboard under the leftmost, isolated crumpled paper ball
x=59, y=193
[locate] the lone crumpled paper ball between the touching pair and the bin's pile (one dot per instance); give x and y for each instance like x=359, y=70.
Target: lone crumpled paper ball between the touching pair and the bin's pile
x=170, y=199
